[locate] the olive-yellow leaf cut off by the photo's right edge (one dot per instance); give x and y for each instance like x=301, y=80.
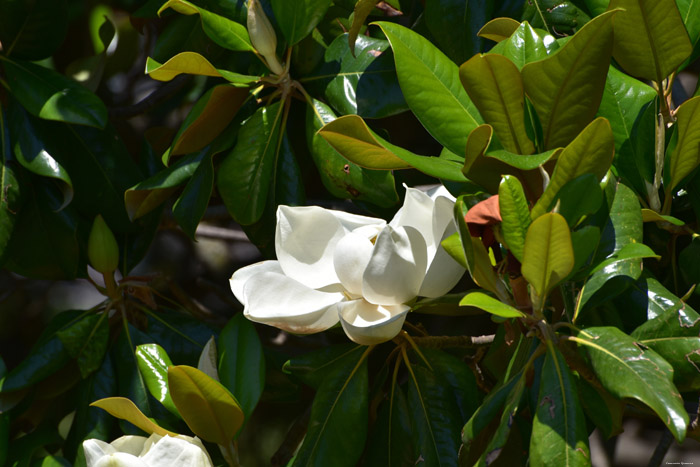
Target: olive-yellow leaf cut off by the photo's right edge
x=686, y=156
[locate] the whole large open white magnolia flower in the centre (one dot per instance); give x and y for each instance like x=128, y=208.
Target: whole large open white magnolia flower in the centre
x=334, y=266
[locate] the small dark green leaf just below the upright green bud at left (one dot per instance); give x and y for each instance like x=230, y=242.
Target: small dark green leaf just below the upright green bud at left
x=86, y=341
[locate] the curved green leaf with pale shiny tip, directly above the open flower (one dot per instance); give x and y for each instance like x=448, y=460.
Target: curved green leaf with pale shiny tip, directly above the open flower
x=341, y=177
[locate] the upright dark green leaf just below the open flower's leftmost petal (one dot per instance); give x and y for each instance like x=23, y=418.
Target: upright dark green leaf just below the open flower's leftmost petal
x=241, y=363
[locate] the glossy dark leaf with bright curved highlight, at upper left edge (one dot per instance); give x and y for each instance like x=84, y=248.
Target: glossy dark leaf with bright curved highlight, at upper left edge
x=52, y=96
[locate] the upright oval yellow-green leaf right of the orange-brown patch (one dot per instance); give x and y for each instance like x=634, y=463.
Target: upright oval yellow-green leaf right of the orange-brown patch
x=549, y=255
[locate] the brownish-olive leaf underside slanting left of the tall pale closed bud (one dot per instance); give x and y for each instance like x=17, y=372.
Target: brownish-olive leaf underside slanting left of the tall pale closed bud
x=212, y=113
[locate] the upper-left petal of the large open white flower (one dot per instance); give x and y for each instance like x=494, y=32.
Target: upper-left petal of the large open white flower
x=305, y=240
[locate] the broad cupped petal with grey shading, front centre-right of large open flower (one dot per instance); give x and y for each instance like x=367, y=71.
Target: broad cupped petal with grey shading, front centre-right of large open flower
x=397, y=267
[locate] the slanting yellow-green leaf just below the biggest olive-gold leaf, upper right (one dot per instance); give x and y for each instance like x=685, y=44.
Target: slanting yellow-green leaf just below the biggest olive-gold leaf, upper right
x=591, y=152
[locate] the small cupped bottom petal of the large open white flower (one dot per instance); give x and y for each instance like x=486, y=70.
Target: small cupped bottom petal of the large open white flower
x=369, y=324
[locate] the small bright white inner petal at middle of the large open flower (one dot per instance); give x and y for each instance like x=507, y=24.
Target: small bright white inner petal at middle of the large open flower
x=351, y=256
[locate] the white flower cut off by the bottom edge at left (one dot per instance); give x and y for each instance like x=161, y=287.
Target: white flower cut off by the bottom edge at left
x=155, y=451
